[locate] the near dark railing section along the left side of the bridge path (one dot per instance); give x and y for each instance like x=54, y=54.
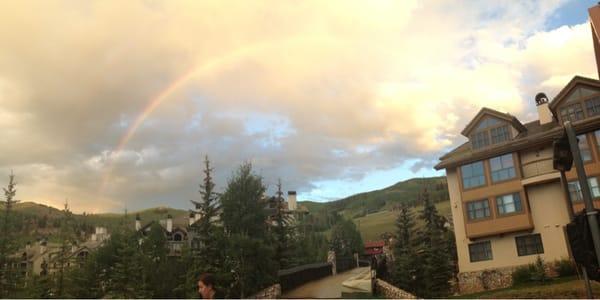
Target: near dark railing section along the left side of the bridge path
x=294, y=277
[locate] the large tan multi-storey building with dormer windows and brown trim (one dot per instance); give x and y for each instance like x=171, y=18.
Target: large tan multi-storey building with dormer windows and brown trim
x=508, y=204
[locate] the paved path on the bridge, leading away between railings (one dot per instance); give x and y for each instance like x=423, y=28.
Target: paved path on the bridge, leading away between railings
x=328, y=287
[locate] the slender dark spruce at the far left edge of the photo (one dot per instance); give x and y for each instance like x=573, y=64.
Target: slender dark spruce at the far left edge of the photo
x=9, y=278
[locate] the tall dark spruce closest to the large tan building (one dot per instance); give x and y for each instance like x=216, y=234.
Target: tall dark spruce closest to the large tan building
x=437, y=267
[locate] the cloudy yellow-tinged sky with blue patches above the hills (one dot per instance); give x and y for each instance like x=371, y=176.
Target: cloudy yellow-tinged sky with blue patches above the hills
x=114, y=104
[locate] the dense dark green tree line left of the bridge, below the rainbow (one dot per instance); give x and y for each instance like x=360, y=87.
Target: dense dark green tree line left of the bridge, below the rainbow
x=242, y=237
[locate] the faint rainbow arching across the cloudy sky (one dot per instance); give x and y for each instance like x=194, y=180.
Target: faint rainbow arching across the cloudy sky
x=200, y=69
